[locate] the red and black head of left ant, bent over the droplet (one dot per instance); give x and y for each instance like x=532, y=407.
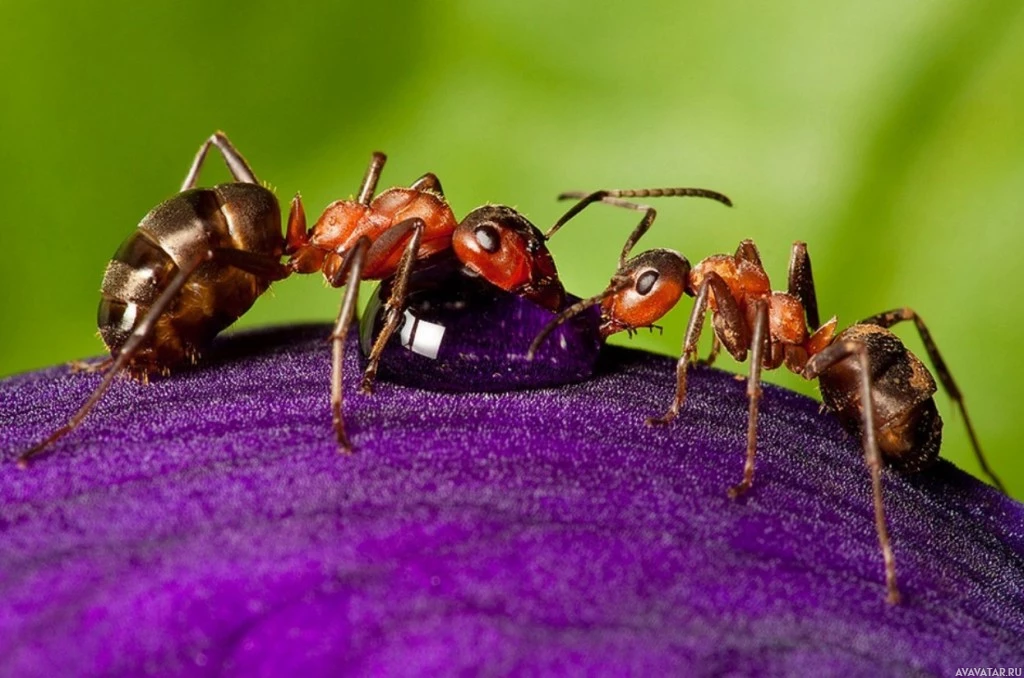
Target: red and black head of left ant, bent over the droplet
x=501, y=246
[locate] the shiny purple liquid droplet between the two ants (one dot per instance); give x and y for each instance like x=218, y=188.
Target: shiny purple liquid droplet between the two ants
x=460, y=333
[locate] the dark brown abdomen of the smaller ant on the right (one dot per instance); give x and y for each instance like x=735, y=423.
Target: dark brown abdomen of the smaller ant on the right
x=909, y=428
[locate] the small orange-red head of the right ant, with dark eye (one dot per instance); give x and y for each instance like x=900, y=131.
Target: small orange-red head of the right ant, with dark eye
x=645, y=290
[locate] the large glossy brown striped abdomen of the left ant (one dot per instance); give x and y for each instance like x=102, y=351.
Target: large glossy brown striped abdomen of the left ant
x=235, y=217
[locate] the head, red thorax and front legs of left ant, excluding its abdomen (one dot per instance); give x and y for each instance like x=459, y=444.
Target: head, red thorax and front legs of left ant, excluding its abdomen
x=381, y=238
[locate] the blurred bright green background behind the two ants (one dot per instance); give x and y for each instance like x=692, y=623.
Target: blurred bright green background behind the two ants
x=886, y=135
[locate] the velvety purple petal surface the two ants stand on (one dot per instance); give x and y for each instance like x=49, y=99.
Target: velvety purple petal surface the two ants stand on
x=205, y=526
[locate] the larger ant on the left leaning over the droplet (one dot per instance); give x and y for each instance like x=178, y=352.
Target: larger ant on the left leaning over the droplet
x=199, y=261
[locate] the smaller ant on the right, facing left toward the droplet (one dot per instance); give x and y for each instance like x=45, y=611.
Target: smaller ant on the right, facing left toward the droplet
x=865, y=364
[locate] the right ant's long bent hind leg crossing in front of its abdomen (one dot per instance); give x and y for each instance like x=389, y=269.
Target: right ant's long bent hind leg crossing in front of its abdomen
x=873, y=458
